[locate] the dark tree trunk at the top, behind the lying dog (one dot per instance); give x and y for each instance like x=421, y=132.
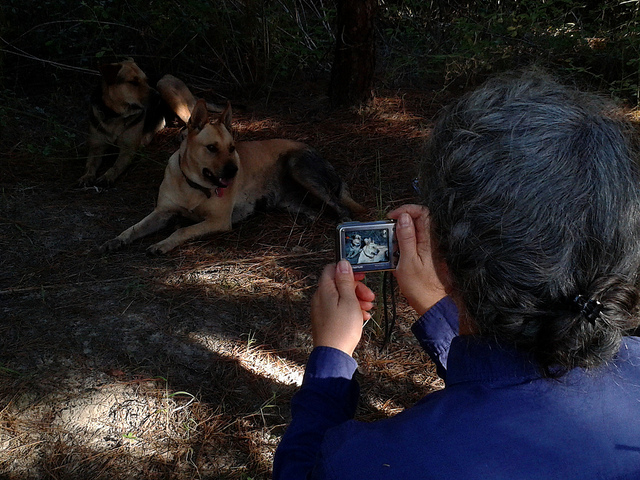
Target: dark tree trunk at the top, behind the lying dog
x=354, y=62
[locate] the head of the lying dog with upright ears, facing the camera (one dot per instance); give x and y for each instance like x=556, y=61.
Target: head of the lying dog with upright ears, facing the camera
x=210, y=158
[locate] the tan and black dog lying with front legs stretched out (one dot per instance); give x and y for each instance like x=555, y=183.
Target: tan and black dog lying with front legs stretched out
x=216, y=182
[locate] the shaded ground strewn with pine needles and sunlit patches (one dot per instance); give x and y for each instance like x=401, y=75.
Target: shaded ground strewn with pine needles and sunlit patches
x=183, y=366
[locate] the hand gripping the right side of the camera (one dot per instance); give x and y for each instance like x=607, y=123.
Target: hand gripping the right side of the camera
x=421, y=277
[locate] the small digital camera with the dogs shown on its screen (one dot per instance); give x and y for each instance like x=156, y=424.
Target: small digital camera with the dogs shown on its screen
x=368, y=246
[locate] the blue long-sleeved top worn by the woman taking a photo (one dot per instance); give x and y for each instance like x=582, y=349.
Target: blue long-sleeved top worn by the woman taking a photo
x=497, y=418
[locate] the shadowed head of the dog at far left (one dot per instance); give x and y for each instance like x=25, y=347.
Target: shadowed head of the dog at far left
x=125, y=88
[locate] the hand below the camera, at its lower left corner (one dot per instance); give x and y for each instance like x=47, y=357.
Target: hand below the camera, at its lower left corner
x=340, y=307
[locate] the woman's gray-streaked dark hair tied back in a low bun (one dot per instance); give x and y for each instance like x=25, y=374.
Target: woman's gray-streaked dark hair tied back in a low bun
x=533, y=190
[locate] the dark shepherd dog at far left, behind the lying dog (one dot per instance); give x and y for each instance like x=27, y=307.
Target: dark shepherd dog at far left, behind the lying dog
x=126, y=113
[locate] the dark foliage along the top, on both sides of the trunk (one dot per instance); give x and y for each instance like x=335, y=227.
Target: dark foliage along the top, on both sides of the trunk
x=263, y=44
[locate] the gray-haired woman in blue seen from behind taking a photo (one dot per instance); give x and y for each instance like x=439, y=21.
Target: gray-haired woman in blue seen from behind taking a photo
x=523, y=265
